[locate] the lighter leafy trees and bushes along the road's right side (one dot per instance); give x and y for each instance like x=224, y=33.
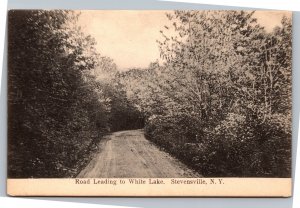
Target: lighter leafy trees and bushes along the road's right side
x=221, y=101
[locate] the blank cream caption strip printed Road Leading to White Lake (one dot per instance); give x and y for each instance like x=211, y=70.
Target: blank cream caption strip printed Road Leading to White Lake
x=177, y=187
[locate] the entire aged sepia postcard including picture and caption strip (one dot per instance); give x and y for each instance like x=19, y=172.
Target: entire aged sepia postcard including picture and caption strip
x=185, y=103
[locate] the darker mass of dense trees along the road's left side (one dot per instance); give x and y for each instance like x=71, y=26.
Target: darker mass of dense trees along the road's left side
x=57, y=108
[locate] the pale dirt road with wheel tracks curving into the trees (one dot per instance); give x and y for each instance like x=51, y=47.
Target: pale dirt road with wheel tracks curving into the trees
x=129, y=154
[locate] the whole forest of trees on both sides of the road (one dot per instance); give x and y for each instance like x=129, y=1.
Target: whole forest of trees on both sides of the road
x=219, y=101
